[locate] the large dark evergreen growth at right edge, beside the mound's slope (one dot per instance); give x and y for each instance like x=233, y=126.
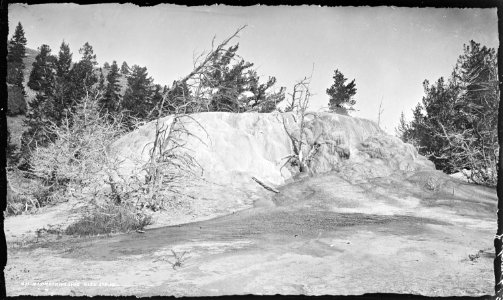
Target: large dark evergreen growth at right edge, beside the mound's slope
x=458, y=128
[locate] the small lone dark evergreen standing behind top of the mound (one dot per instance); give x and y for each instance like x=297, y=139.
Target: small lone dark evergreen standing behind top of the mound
x=341, y=94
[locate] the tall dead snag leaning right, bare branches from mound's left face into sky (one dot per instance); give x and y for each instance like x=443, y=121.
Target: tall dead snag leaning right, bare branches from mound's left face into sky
x=171, y=167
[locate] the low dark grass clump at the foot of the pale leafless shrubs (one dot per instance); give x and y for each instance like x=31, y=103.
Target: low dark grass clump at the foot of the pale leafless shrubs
x=110, y=218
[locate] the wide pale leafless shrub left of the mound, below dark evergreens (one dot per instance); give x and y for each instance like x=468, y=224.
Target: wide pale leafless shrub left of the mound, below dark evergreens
x=76, y=163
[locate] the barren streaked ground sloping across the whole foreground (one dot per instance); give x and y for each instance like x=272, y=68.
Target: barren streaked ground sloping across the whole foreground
x=321, y=235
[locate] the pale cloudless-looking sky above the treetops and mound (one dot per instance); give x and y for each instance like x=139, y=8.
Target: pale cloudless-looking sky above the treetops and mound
x=389, y=51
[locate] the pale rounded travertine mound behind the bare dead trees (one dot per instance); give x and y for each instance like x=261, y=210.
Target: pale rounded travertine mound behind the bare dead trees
x=233, y=148
